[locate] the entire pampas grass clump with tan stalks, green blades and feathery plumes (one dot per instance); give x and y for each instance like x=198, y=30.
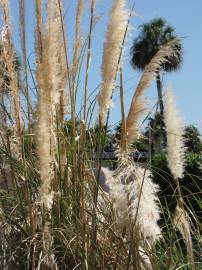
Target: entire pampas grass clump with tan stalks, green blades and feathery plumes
x=59, y=207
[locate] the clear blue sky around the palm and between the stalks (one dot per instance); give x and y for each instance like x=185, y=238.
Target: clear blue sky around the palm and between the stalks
x=183, y=15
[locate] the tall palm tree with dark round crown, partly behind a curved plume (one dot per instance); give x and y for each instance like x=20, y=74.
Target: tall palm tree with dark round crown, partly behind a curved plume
x=152, y=36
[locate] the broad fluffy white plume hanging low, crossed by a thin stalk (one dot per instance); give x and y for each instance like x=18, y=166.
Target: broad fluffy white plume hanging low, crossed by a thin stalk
x=142, y=195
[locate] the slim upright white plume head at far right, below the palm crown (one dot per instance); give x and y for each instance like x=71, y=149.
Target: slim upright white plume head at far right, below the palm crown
x=175, y=142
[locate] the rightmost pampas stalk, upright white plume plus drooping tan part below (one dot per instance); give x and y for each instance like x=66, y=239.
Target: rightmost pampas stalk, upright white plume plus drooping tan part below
x=176, y=161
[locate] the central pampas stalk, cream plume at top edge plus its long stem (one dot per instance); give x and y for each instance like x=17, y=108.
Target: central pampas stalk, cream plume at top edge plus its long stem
x=112, y=65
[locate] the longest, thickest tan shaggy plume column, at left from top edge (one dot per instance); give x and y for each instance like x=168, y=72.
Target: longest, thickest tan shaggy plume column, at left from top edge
x=51, y=77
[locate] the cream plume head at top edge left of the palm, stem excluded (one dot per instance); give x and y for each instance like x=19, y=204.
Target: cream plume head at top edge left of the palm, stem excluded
x=112, y=50
